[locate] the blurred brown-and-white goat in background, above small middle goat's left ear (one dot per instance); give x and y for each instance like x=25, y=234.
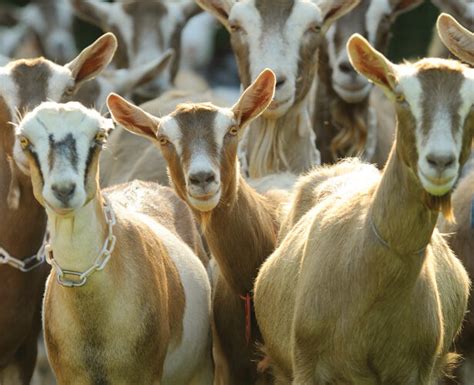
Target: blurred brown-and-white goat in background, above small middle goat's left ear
x=145, y=30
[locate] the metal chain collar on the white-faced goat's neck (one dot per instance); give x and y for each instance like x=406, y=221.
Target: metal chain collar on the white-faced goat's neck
x=100, y=262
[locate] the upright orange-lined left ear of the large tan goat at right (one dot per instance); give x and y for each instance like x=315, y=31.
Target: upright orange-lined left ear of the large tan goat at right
x=371, y=63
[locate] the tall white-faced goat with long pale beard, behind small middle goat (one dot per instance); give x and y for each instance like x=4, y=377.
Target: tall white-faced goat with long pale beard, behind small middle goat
x=285, y=36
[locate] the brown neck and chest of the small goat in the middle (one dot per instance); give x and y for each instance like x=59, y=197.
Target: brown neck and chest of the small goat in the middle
x=241, y=232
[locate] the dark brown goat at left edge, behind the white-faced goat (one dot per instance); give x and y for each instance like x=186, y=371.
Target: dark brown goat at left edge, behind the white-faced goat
x=24, y=84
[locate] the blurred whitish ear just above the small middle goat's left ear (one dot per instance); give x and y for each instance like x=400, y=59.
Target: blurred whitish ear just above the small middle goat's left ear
x=127, y=79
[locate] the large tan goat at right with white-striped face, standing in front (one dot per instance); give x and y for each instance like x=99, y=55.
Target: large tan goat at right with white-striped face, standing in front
x=363, y=289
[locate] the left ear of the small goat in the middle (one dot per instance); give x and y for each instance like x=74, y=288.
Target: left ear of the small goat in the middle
x=131, y=117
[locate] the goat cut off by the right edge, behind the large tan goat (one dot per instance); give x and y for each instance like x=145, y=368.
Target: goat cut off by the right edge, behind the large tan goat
x=461, y=233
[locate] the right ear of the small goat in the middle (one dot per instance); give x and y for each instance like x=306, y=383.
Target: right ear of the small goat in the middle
x=255, y=99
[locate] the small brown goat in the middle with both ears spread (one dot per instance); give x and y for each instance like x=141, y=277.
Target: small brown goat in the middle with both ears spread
x=199, y=143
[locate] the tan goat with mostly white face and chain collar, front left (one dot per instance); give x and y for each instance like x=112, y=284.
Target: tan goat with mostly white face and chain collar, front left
x=128, y=300
